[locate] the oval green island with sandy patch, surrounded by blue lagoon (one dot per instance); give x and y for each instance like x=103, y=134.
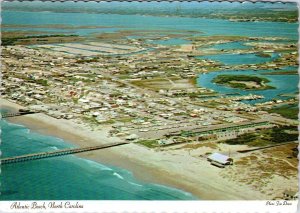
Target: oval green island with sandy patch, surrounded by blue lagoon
x=247, y=82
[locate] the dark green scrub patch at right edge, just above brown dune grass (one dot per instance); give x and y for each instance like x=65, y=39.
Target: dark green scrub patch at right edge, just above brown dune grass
x=266, y=137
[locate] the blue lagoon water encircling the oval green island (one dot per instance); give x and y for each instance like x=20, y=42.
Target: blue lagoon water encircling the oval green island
x=284, y=84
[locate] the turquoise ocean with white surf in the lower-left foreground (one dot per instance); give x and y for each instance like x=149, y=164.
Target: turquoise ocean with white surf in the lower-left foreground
x=67, y=177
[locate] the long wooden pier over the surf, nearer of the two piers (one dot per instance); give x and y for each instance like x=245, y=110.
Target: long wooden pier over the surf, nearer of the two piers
x=56, y=153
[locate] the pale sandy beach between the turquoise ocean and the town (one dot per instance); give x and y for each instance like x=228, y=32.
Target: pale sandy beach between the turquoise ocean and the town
x=164, y=168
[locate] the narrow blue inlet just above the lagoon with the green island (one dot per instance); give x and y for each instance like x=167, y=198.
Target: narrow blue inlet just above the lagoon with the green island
x=236, y=59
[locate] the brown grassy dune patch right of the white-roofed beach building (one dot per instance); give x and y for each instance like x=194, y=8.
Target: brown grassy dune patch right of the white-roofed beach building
x=274, y=161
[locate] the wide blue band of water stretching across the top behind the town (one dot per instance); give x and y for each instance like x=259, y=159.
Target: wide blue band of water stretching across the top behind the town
x=140, y=22
